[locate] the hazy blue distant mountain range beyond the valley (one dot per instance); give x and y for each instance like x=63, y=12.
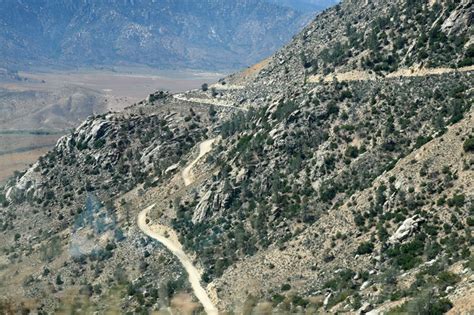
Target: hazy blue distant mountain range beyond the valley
x=204, y=34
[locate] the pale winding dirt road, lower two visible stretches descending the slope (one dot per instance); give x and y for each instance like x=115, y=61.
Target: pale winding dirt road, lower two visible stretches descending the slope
x=172, y=244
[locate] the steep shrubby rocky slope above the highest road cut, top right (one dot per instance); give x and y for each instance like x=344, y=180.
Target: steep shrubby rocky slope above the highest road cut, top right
x=376, y=37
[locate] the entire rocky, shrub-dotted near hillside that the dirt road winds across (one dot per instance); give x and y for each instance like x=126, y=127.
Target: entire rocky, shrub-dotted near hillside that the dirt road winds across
x=333, y=185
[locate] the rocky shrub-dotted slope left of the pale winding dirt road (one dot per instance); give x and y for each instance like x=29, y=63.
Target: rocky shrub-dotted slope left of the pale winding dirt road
x=88, y=221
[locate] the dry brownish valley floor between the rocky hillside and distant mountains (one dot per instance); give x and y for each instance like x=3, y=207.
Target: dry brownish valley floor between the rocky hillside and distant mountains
x=45, y=104
